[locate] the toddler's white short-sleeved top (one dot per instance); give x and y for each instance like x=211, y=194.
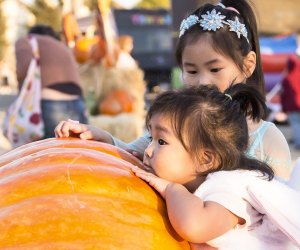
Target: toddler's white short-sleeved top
x=230, y=189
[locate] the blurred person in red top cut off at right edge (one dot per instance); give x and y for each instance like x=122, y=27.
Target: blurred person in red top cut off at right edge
x=290, y=96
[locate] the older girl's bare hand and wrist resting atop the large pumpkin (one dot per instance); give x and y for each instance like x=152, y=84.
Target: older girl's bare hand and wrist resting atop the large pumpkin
x=83, y=131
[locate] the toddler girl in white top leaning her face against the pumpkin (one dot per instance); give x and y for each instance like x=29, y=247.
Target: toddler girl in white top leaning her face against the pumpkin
x=196, y=161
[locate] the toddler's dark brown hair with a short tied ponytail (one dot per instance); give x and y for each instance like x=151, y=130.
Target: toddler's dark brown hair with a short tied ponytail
x=204, y=118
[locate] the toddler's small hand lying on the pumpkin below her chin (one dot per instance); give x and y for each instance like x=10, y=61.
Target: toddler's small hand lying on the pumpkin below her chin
x=156, y=182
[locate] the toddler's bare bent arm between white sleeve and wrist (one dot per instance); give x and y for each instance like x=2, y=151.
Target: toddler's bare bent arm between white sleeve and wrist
x=195, y=220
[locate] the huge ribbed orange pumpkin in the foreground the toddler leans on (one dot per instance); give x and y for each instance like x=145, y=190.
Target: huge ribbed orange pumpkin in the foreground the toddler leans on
x=75, y=194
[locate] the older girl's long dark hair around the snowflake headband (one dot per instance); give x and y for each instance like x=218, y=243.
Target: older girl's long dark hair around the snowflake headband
x=226, y=42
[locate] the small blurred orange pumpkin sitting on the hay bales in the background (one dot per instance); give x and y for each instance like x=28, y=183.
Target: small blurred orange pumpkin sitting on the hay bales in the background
x=118, y=101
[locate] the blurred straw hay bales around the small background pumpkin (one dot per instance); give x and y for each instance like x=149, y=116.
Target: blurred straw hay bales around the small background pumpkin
x=101, y=81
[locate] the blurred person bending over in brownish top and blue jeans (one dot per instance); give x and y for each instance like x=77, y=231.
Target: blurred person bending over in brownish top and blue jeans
x=61, y=87
